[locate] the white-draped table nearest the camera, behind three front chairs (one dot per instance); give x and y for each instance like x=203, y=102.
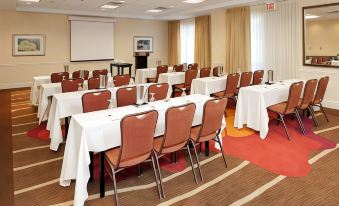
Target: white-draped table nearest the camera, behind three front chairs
x=100, y=131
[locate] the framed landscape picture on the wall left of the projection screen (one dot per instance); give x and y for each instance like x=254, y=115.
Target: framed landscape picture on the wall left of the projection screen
x=28, y=45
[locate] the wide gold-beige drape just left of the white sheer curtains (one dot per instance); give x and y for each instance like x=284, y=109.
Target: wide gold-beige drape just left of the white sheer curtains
x=238, y=39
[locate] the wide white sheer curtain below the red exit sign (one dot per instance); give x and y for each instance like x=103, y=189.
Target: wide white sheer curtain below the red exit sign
x=275, y=39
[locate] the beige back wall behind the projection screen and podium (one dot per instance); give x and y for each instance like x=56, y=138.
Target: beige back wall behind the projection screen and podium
x=18, y=71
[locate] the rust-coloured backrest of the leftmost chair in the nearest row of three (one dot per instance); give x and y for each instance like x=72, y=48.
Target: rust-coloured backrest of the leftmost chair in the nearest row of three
x=137, y=134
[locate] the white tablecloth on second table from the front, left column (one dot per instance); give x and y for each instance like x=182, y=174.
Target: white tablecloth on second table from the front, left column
x=66, y=105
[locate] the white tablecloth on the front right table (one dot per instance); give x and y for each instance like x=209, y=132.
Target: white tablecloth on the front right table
x=253, y=102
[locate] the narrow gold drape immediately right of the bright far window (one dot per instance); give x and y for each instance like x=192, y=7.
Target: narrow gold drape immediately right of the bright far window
x=202, y=46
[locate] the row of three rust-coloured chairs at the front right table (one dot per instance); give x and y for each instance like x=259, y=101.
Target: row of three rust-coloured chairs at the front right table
x=312, y=95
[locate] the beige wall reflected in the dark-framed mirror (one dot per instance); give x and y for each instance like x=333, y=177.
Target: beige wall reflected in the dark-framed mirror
x=322, y=37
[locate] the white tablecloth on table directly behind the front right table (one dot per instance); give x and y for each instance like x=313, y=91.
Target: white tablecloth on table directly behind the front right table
x=208, y=85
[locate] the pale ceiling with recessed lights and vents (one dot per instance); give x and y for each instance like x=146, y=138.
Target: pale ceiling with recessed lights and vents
x=131, y=8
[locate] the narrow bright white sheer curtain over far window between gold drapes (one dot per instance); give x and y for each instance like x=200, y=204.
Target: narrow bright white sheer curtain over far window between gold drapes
x=187, y=29
